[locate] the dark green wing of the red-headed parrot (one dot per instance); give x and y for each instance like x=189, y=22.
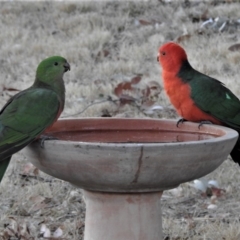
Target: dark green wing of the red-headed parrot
x=212, y=97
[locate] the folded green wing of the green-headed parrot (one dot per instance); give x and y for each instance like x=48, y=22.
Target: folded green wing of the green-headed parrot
x=26, y=116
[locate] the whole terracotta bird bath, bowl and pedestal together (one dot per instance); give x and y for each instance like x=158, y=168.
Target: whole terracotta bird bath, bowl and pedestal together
x=124, y=165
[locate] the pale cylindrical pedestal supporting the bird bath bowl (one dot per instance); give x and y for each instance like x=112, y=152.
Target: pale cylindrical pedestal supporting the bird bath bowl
x=123, y=216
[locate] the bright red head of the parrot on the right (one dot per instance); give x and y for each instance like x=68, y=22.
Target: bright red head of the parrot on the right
x=171, y=57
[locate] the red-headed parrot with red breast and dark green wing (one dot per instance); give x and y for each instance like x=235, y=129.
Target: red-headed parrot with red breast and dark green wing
x=196, y=96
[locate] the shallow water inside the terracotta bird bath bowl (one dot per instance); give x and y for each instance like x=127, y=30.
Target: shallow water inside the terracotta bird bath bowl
x=132, y=136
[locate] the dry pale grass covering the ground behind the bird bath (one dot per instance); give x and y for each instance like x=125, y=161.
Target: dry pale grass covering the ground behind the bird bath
x=79, y=31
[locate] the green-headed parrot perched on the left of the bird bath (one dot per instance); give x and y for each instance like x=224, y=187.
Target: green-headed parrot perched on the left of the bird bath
x=29, y=113
